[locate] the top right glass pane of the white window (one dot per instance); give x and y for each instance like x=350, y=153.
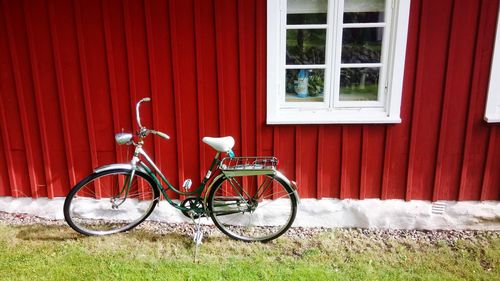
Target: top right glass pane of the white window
x=362, y=11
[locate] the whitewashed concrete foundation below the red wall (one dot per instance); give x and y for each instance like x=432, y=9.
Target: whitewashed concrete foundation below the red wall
x=369, y=213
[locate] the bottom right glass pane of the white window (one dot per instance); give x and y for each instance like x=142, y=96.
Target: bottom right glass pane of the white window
x=359, y=84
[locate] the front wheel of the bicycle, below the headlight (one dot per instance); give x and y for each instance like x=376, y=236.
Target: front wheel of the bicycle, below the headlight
x=109, y=202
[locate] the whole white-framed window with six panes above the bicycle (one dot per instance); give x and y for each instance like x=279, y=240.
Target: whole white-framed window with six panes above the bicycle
x=335, y=61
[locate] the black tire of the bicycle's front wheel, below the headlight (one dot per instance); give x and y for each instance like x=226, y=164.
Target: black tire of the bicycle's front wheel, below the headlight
x=83, y=182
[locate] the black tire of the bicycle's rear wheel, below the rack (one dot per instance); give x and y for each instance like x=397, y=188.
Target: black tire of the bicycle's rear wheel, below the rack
x=293, y=198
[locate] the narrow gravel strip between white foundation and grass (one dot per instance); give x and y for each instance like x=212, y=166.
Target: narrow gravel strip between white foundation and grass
x=434, y=237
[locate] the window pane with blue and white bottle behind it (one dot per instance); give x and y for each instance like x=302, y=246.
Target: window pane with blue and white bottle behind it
x=305, y=85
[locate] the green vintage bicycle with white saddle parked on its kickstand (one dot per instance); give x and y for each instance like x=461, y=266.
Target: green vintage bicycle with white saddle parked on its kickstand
x=247, y=198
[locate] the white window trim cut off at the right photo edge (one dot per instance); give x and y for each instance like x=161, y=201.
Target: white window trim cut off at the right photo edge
x=492, y=113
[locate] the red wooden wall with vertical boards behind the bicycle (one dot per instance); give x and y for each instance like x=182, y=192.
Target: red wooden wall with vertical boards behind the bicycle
x=72, y=70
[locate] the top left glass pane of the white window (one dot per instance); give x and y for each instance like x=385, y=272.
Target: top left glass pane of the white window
x=306, y=11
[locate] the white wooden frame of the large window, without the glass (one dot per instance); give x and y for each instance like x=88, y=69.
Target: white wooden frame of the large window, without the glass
x=331, y=110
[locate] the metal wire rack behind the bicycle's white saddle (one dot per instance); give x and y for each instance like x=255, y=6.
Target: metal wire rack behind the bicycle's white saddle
x=248, y=163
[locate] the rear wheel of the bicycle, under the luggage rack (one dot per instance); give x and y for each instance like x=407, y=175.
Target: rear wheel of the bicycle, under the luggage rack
x=252, y=208
